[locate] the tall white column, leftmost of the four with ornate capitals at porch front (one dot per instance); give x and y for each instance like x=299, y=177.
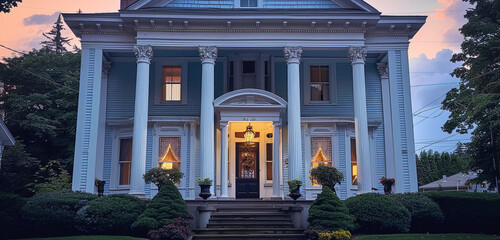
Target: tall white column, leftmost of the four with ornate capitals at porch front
x=144, y=55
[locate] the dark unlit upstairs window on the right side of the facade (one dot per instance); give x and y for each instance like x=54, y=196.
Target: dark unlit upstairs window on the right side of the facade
x=320, y=83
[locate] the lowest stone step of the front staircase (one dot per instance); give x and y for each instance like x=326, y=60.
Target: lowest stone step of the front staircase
x=247, y=231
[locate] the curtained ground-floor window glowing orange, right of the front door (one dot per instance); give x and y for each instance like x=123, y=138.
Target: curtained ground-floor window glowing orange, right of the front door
x=321, y=153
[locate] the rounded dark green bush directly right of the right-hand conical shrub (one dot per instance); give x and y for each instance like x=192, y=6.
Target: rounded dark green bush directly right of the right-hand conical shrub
x=377, y=213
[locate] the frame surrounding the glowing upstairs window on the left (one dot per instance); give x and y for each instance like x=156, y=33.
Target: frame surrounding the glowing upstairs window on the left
x=158, y=91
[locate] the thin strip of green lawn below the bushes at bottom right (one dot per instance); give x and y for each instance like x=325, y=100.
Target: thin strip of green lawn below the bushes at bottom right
x=453, y=236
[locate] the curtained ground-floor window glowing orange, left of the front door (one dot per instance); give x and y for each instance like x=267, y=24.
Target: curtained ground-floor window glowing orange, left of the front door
x=169, y=153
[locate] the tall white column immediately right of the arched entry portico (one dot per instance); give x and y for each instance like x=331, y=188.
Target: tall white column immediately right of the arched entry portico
x=292, y=56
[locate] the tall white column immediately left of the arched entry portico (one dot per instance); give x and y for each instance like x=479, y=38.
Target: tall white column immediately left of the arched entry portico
x=207, y=154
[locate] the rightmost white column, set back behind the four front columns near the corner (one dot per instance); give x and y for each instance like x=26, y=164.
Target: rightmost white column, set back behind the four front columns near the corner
x=383, y=70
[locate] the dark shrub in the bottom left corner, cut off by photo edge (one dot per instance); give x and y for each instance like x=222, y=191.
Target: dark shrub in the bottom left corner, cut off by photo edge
x=11, y=222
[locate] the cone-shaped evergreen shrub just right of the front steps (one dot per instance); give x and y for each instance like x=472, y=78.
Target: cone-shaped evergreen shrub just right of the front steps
x=327, y=212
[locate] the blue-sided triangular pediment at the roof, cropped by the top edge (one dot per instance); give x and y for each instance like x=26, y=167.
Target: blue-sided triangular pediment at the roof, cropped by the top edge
x=262, y=4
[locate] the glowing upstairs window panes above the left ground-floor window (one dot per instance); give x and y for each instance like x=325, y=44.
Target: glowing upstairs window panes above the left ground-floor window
x=171, y=86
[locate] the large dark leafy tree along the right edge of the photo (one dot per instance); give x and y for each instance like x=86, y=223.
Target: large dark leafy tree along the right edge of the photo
x=474, y=104
